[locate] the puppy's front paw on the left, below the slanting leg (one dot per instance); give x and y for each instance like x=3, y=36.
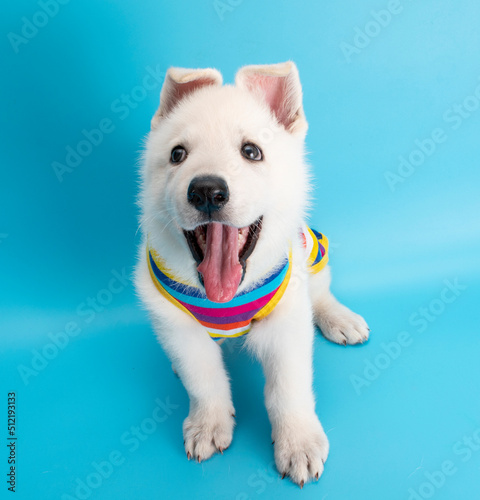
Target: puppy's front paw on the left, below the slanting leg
x=208, y=429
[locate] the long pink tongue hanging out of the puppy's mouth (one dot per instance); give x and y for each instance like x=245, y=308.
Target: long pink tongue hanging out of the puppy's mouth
x=220, y=267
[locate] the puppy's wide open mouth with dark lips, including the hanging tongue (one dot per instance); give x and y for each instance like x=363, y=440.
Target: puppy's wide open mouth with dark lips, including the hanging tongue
x=221, y=253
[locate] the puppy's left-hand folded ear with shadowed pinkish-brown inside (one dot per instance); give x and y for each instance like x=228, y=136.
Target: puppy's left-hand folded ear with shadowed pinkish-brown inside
x=180, y=82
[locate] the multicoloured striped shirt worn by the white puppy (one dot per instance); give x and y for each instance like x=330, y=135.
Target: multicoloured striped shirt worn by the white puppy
x=234, y=318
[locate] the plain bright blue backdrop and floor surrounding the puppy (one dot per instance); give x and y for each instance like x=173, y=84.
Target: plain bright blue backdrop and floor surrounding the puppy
x=393, y=248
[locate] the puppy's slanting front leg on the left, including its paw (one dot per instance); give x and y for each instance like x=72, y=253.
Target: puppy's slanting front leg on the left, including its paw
x=199, y=364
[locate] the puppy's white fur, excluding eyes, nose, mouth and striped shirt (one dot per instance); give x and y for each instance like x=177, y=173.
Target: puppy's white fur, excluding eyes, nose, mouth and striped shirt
x=212, y=121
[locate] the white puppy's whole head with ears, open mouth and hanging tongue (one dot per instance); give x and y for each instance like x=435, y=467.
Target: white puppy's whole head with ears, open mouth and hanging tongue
x=224, y=181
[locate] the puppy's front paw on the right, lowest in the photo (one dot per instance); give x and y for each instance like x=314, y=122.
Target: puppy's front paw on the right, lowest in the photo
x=301, y=449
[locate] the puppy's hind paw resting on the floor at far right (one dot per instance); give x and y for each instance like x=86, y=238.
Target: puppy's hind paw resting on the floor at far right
x=341, y=325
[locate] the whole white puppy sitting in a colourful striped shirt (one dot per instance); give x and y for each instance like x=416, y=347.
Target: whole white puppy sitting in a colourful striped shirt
x=226, y=252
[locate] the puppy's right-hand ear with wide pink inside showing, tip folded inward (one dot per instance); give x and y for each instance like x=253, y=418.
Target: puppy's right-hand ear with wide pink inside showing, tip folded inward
x=279, y=86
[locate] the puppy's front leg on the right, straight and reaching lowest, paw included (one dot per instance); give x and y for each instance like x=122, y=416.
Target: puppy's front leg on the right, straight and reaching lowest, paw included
x=283, y=342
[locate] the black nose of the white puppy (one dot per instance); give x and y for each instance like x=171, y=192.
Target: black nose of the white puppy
x=208, y=193
